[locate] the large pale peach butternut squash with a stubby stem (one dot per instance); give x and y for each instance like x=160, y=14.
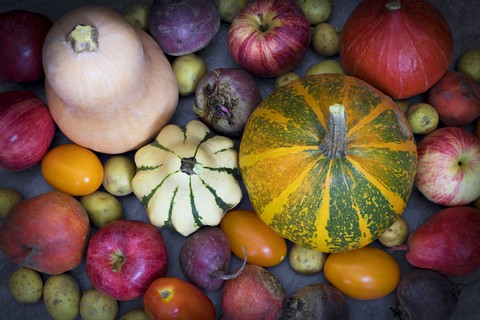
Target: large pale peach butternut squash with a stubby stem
x=108, y=85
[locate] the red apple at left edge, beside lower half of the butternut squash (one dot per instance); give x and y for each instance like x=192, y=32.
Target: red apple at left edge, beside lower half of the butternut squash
x=27, y=129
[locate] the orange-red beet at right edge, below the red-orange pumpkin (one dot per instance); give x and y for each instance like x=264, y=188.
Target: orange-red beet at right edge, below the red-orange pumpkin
x=456, y=98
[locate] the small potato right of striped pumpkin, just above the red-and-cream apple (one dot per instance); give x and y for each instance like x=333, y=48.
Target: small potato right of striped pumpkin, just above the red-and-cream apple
x=422, y=117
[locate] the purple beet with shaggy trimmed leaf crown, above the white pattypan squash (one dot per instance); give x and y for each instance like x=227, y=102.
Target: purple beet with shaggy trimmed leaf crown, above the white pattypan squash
x=225, y=98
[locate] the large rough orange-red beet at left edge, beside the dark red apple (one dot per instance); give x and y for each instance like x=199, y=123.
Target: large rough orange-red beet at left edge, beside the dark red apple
x=48, y=233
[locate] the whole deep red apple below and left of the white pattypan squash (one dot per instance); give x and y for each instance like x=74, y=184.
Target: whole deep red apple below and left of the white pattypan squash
x=124, y=257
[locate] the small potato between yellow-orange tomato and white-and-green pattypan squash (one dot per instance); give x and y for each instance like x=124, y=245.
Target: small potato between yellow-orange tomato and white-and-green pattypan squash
x=118, y=174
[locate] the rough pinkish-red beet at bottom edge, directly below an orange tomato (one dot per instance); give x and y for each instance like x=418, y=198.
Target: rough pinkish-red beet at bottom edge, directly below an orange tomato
x=255, y=294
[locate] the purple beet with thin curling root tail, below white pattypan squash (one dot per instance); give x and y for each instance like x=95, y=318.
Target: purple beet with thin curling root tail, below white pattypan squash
x=205, y=258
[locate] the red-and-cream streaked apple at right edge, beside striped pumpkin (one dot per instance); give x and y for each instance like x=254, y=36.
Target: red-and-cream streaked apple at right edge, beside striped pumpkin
x=448, y=169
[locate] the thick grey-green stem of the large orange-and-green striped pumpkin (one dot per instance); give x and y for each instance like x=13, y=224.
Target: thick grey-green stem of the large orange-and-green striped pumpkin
x=334, y=144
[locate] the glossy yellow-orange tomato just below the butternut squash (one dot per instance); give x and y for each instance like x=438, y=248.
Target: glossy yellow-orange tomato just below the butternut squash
x=72, y=169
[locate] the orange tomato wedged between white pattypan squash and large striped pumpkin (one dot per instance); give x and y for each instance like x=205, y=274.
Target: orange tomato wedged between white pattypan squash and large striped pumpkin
x=264, y=247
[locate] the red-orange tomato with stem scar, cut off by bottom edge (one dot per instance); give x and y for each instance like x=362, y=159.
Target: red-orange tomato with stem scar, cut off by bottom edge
x=174, y=298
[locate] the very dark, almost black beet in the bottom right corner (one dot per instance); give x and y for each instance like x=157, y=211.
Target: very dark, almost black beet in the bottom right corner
x=427, y=295
